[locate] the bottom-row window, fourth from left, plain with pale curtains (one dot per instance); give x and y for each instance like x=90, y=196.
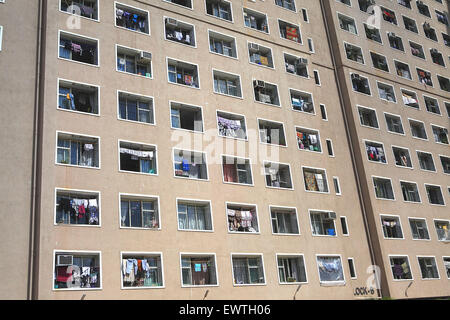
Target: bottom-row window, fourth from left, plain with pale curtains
x=247, y=269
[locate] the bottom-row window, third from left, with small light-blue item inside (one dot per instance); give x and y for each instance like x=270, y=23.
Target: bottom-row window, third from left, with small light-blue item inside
x=198, y=270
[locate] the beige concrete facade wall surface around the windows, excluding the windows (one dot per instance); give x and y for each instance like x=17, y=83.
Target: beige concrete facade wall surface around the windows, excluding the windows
x=109, y=239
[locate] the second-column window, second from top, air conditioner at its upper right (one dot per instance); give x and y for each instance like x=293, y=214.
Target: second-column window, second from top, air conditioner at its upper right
x=134, y=61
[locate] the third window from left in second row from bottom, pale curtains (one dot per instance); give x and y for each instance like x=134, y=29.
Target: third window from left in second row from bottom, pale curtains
x=194, y=215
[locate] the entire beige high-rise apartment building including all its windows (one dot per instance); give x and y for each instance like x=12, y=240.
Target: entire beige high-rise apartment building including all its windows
x=175, y=148
